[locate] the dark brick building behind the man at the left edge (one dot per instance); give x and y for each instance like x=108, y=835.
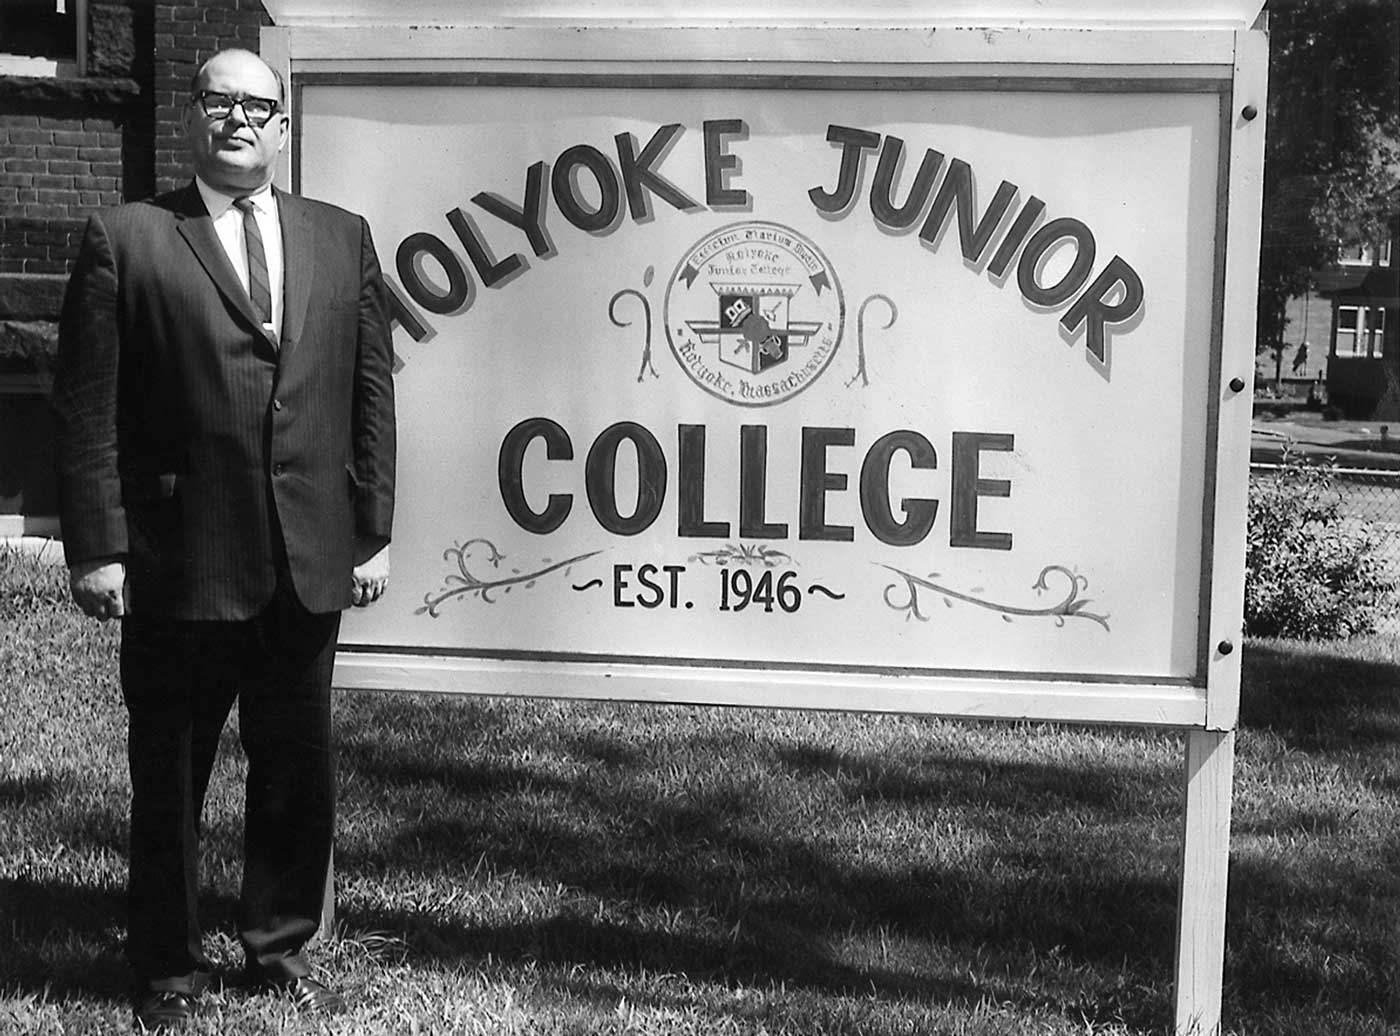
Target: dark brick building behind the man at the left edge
x=92, y=94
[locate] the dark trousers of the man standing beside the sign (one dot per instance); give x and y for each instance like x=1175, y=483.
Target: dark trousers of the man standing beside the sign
x=180, y=681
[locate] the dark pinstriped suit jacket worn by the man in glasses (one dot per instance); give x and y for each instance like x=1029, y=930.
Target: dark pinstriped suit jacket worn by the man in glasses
x=184, y=433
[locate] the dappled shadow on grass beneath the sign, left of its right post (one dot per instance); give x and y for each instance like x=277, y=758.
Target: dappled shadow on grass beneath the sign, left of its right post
x=761, y=897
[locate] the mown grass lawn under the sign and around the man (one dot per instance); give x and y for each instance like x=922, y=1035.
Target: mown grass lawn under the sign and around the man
x=533, y=867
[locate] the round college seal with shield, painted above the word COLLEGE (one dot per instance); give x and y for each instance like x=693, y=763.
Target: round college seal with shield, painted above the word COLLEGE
x=754, y=313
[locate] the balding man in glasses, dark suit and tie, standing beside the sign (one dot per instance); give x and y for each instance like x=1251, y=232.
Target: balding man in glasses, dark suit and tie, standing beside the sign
x=226, y=461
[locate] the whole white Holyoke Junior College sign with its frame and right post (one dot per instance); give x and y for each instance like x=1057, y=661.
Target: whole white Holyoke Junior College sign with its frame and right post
x=835, y=358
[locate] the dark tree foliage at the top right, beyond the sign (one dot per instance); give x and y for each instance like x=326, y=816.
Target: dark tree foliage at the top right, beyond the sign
x=1332, y=162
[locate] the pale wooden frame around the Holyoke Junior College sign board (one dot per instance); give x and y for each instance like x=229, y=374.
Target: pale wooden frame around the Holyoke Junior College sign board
x=1044, y=59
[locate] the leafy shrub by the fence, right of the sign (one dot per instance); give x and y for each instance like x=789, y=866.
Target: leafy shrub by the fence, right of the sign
x=1311, y=572
